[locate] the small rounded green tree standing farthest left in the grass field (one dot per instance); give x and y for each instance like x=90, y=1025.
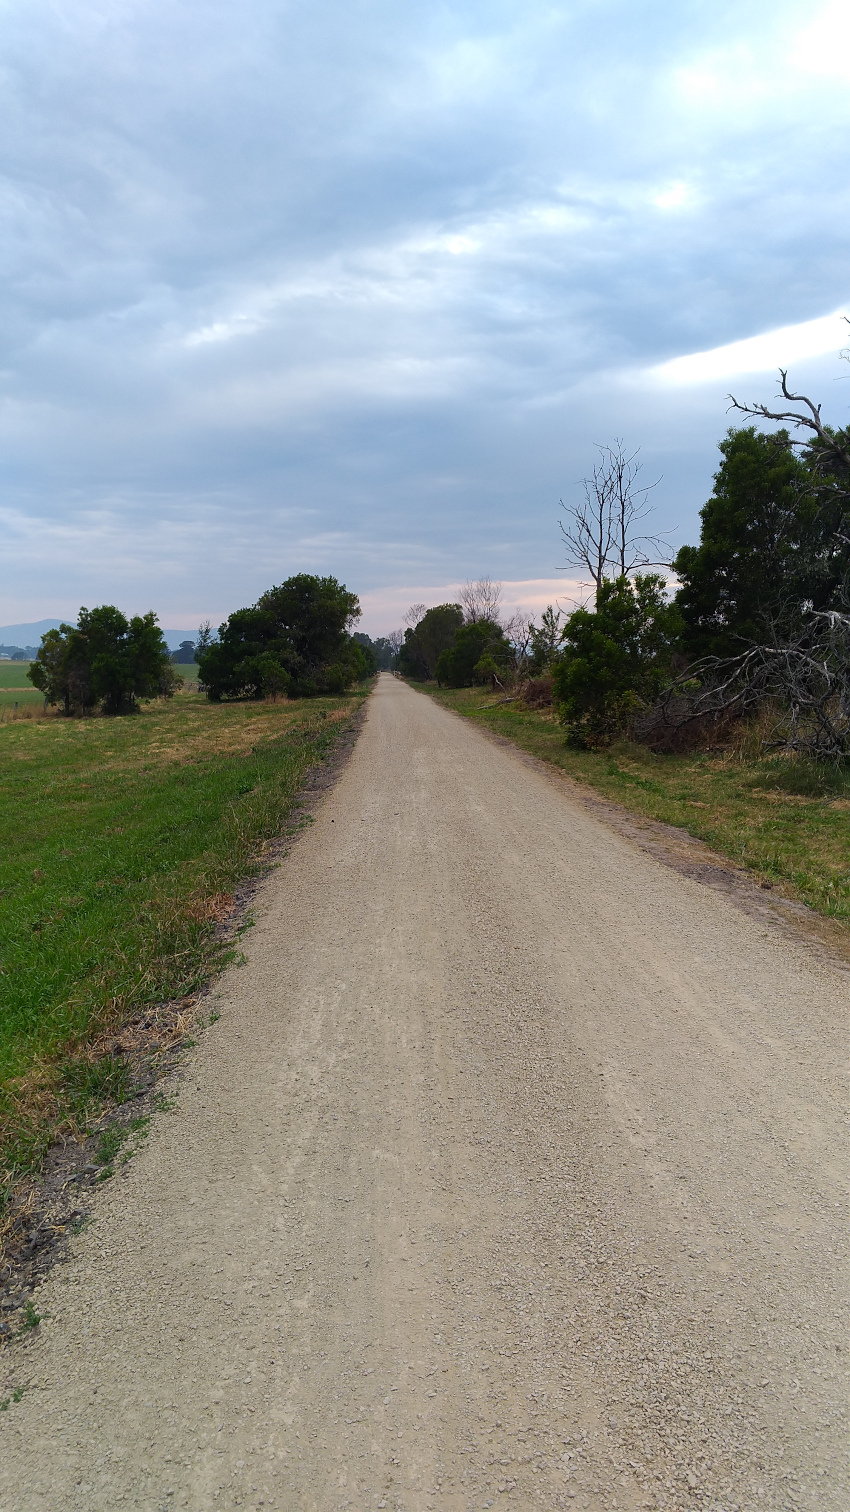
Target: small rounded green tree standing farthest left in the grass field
x=104, y=660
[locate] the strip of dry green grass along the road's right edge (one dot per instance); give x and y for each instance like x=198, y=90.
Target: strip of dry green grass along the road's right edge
x=786, y=820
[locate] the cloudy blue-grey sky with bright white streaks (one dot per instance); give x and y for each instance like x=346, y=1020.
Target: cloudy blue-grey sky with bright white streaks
x=356, y=288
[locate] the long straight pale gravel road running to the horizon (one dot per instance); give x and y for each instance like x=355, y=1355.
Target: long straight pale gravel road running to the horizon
x=512, y=1176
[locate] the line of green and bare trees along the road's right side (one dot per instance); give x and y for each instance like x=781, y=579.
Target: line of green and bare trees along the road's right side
x=760, y=618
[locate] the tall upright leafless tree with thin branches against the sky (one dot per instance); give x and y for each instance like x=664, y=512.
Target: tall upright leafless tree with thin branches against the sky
x=601, y=531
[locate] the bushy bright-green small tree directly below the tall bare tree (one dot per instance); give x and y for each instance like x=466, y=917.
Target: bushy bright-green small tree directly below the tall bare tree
x=616, y=658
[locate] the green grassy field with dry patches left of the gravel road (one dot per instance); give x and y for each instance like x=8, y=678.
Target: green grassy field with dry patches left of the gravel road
x=122, y=843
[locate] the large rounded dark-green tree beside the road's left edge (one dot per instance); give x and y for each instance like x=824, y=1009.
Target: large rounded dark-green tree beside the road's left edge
x=294, y=640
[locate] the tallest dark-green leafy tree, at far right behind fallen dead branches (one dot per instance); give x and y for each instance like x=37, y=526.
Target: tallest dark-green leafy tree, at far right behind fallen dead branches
x=766, y=550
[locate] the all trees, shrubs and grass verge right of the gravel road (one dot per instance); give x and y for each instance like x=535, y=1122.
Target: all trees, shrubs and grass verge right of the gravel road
x=718, y=702
